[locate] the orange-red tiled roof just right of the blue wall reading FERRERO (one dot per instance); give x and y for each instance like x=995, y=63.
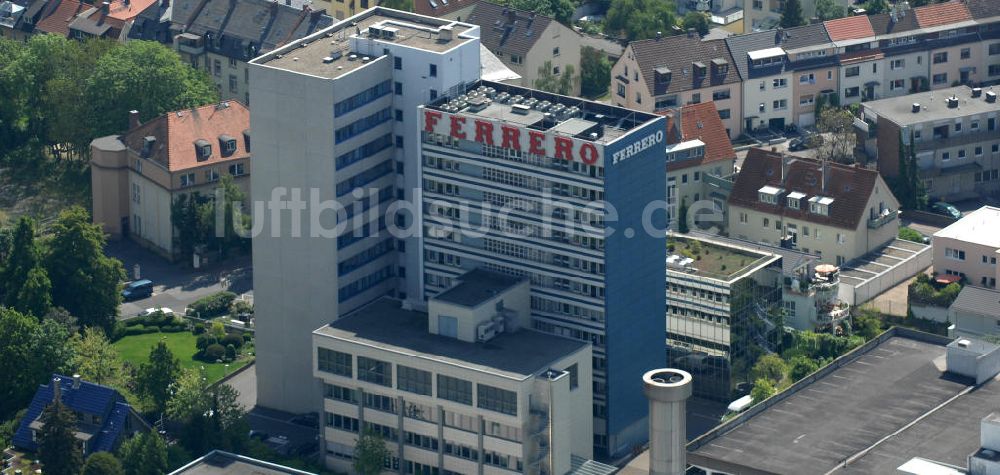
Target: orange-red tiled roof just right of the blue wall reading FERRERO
x=702, y=122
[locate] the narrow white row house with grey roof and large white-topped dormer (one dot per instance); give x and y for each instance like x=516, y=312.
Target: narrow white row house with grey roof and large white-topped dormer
x=768, y=94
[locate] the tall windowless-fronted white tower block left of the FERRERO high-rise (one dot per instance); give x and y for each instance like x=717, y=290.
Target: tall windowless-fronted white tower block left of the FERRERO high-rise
x=336, y=112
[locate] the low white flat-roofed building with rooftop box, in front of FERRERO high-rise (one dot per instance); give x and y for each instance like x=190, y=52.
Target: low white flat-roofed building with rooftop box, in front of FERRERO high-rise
x=463, y=387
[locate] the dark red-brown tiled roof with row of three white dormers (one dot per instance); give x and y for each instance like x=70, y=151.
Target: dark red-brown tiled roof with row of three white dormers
x=849, y=186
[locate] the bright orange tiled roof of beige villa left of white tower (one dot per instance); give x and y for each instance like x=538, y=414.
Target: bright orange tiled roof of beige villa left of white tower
x=176, y=133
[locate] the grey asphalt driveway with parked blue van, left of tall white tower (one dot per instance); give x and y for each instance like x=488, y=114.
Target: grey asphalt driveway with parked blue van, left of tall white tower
x=178, y=285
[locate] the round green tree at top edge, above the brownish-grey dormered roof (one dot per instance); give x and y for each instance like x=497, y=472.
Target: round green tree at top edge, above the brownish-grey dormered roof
x=641, y=19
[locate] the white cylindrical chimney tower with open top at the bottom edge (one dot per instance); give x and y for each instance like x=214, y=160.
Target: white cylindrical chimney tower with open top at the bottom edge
x=667, y=391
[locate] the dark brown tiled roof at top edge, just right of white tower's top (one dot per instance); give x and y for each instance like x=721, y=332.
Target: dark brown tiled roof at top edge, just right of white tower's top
x=506, y=30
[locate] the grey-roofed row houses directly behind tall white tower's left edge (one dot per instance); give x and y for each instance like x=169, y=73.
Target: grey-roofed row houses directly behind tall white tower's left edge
x=222, y=35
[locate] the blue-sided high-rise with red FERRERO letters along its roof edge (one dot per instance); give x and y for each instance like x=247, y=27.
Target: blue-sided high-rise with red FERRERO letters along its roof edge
x=512, y=180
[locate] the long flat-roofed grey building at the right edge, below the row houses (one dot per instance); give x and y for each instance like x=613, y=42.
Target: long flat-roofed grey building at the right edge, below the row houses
x=954, y=133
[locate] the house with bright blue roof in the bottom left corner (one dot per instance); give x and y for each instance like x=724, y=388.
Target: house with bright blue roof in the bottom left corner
x=104, y=418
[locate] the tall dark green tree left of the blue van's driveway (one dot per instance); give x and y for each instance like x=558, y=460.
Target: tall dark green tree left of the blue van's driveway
x=84, y=281
